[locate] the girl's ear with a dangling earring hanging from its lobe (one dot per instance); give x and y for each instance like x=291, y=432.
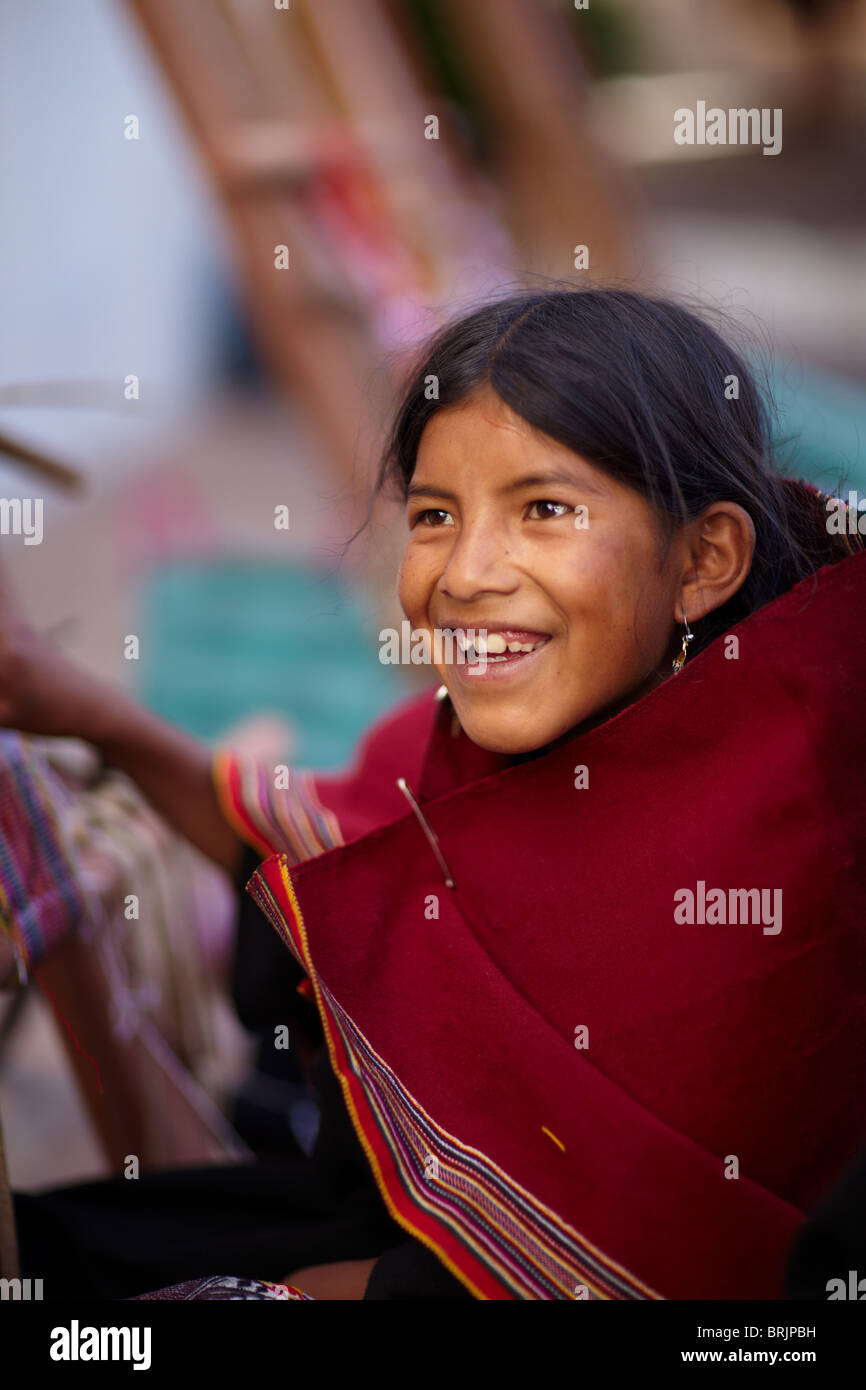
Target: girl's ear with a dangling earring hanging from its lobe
x=721, y=546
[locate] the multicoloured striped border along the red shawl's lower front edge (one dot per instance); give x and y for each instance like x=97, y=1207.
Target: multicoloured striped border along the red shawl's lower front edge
x=486, y=1228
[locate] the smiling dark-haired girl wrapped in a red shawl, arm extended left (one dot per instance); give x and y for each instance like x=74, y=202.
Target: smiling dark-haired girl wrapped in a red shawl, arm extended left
x=559, y=1089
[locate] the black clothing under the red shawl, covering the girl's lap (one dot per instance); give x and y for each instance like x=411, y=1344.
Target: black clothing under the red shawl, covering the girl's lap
x=119, y=1238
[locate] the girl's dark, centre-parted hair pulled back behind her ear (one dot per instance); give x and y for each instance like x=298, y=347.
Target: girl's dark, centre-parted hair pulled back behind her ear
x=637, y=387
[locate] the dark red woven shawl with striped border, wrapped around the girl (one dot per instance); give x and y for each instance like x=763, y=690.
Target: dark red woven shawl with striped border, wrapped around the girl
x=533, y=1167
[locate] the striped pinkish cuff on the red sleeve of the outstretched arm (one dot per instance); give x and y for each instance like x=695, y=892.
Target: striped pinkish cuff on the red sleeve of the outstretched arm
x=273, y=821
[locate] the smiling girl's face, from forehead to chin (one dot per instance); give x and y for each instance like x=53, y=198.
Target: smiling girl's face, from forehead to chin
x=514, y=534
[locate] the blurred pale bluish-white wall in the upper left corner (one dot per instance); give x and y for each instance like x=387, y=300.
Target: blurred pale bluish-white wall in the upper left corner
x=109, y=248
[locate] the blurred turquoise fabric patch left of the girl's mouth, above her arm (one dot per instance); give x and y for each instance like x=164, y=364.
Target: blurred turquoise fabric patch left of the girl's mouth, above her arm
x=230, y=639
